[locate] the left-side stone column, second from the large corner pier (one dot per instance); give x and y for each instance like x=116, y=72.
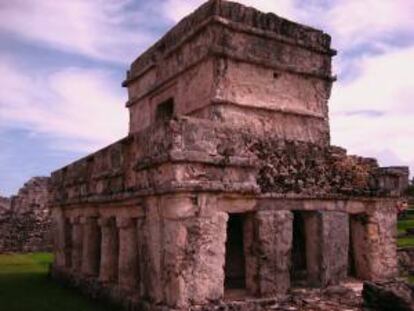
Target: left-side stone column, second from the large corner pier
x=108, y=271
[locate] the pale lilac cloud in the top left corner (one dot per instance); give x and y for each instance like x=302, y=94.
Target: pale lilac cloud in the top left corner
x=110, y=30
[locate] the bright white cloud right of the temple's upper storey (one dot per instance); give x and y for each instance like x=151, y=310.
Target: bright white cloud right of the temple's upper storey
x=374, y=113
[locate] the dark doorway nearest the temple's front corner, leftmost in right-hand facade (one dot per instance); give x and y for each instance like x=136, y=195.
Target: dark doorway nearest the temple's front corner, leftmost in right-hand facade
x=235, y=273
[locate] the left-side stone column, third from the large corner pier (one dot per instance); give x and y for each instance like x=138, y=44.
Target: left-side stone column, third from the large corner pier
x=91, y=246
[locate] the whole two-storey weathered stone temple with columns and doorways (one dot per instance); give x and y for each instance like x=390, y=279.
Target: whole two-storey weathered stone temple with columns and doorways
x=227, y=185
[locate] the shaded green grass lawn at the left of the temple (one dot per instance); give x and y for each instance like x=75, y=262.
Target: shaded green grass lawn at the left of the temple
x=24, y=286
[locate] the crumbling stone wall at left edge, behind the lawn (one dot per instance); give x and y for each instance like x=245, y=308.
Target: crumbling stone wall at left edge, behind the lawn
x=25, y=226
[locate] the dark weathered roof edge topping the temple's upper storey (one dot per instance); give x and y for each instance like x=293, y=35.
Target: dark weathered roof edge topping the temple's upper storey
x=244, y=18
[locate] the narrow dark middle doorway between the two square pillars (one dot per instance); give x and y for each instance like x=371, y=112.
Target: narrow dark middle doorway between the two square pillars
x=299, y=269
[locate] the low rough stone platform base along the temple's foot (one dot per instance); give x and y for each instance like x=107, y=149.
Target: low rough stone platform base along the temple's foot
x=346, y=296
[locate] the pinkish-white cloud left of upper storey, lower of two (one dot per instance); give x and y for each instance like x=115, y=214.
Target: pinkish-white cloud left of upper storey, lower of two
x=81, y=109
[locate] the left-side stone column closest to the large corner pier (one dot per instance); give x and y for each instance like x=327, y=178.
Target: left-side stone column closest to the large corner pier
x=128, y=254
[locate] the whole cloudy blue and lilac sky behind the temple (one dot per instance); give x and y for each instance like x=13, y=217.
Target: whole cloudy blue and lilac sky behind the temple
x=62, y=64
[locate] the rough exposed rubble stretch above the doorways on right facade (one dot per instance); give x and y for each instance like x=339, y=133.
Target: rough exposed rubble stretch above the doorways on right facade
x=309, y=169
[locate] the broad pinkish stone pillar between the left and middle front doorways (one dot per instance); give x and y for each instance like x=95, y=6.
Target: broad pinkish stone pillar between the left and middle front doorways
x=274, y=243
